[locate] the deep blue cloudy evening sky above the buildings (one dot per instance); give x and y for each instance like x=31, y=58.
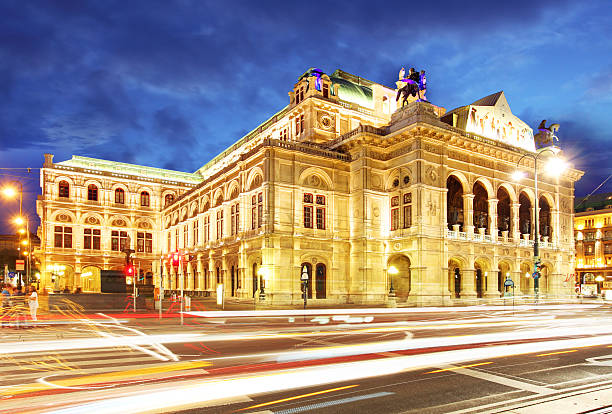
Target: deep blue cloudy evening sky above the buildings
x=171, y=84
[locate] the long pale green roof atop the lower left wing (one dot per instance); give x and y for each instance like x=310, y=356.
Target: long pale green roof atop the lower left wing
x=131, y=169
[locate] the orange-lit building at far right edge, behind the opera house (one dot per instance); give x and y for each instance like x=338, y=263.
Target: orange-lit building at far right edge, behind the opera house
x=593, y=232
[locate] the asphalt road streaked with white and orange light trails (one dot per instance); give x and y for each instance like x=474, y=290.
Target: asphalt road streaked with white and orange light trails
x=532, y=360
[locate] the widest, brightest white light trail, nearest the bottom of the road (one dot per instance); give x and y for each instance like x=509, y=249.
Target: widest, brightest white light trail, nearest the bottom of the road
x=198, y=392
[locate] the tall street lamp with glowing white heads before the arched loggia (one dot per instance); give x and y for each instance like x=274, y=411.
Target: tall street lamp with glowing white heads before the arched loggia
x=554, y=166
